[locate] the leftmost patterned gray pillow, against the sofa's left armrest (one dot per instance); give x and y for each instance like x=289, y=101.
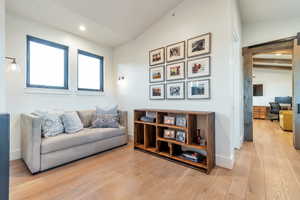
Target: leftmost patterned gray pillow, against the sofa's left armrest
x=51, y=125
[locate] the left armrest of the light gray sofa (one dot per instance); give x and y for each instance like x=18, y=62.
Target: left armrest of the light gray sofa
x=31, y=130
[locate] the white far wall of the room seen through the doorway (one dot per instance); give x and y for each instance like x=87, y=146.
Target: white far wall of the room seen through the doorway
x=276, y=83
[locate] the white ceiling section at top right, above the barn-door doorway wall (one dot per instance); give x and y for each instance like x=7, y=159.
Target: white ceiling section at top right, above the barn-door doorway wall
x=263, y=10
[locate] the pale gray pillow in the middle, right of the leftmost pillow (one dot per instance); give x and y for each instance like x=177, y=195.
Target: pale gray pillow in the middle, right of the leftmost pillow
x=72, y=122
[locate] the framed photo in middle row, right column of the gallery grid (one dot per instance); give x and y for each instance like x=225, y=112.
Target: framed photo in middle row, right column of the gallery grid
x=198, y=68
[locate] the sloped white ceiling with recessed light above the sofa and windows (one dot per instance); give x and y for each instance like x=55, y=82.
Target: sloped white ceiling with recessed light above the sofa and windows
x=109, y=22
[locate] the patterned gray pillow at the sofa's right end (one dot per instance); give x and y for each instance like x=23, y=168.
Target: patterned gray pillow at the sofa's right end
x=106, y=121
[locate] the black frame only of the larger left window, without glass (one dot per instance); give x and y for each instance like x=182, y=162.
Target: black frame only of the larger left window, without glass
x=29, y=39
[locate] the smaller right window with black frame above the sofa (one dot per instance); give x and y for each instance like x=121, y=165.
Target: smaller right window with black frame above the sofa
x=90, y=71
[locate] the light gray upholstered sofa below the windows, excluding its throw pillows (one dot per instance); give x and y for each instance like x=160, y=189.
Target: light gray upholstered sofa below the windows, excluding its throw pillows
x=41, y=153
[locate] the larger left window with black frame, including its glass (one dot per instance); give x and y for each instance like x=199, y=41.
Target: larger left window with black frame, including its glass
x=47, y=64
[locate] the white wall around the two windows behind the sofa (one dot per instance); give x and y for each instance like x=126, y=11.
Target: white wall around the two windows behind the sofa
x=23, y=100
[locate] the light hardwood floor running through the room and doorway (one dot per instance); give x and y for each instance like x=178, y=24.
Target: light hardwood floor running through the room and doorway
x=269, y=168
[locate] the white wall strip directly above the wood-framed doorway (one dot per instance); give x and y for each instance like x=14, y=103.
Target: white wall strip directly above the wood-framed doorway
x=264, y=31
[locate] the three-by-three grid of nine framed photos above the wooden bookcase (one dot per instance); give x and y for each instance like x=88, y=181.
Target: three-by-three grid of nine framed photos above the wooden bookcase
x=181, y=70
